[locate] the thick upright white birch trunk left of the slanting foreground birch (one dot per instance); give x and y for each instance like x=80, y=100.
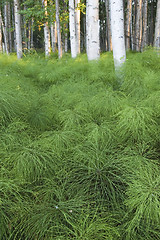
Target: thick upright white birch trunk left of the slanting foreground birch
x=93, y=49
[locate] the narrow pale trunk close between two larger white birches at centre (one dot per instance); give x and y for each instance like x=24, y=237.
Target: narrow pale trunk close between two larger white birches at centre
x=77, y=23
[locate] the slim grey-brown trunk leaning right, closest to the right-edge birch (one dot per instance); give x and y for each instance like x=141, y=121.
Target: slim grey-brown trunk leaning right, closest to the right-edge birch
x=144, y=38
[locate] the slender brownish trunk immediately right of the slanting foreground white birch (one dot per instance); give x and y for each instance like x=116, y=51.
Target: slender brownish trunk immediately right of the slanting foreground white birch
x=128, y=24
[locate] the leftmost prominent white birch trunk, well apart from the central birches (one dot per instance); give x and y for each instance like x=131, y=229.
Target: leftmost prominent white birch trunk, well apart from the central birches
x=18, y=29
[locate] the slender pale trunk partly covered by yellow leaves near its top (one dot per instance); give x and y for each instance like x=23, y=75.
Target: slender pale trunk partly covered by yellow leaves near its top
x=46, y=32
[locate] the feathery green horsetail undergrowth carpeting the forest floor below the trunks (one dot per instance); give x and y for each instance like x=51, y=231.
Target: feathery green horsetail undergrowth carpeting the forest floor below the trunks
x=79, y=153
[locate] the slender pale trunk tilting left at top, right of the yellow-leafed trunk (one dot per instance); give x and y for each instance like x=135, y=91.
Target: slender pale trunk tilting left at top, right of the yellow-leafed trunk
x=58, y=30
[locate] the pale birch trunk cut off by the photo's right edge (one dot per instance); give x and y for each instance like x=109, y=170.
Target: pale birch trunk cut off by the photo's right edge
x=157, y=27
